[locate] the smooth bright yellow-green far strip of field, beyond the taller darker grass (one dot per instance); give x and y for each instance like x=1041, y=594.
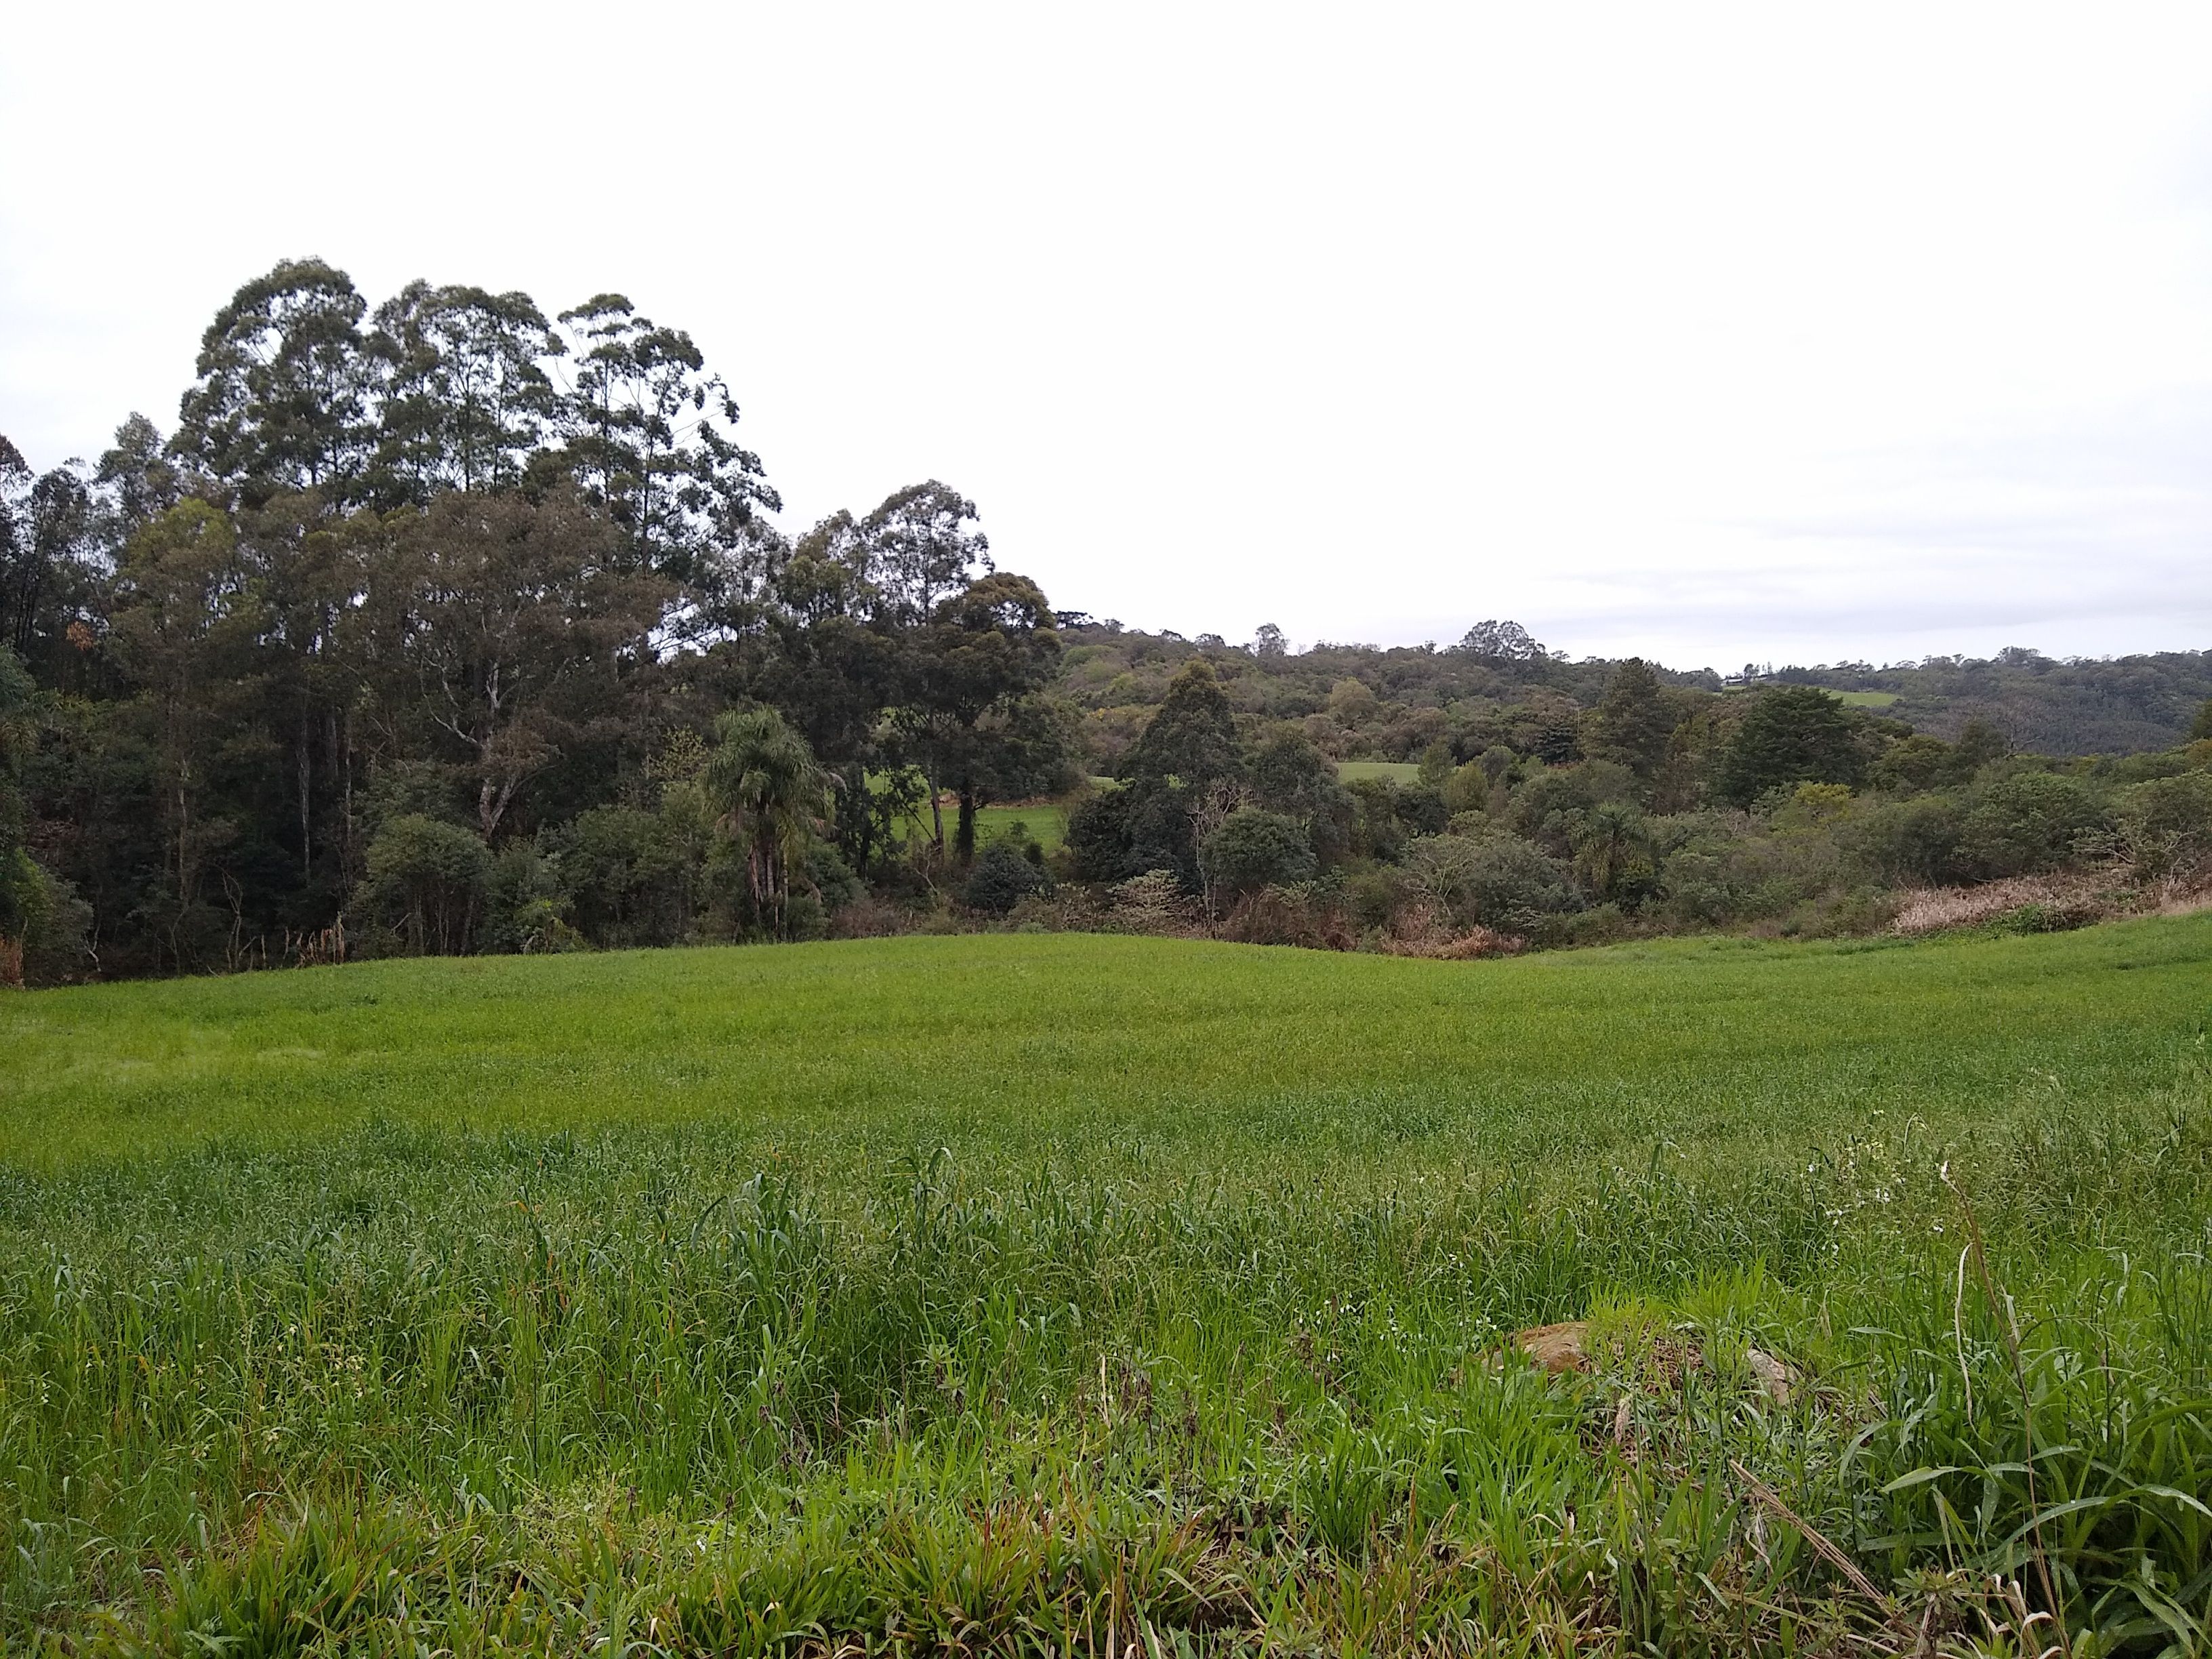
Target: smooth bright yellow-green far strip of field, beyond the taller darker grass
x=1019, y=1039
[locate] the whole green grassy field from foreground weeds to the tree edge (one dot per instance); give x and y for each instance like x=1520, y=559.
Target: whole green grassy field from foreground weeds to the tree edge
x=1043, y=1293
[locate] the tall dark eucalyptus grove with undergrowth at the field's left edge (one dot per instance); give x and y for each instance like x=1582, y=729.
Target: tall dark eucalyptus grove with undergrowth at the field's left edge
x=448, y=625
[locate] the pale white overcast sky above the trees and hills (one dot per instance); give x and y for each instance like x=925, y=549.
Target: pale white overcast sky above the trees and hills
x=1702, y=333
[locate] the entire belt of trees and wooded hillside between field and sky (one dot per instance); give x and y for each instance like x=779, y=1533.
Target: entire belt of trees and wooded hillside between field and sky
x=452, y=627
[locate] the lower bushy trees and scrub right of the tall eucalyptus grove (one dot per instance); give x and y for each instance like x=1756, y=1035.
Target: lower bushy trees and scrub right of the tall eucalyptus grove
x=1660, y=806
